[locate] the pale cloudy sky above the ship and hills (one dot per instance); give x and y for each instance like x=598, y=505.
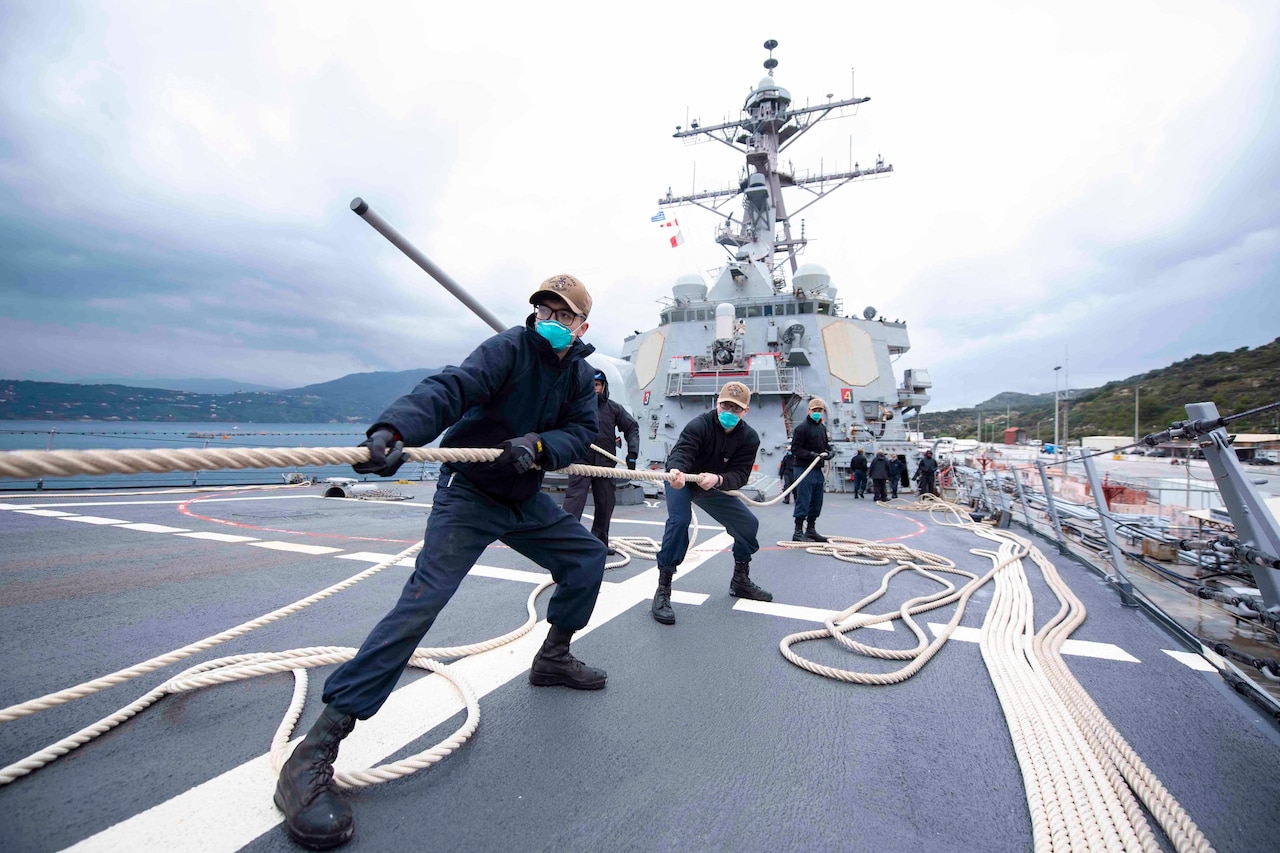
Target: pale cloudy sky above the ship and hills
x=1091, y=185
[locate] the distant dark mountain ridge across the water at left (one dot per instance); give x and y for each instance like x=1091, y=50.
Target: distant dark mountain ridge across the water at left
x=356, y=399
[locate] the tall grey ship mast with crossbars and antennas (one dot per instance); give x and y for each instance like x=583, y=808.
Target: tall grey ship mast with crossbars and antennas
x=766, y=129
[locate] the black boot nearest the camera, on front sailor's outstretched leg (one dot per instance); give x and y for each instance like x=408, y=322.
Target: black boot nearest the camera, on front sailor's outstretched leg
x=316, y=816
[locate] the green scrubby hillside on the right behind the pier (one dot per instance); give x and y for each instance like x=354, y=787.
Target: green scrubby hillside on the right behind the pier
x=1235, y=382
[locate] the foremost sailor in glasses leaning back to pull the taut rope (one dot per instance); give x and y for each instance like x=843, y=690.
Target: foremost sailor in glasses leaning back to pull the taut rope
x=532, y=382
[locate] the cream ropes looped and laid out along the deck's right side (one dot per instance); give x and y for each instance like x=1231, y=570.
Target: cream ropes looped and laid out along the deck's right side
x=1086, y=786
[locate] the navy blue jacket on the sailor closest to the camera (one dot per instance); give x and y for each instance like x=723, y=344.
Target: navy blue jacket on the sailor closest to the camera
x=511, y=385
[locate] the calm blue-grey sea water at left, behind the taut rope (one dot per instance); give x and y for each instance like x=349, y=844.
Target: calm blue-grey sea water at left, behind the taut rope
x=89, y=435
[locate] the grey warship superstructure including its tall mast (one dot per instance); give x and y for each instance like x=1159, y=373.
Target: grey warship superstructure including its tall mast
x=769, y=321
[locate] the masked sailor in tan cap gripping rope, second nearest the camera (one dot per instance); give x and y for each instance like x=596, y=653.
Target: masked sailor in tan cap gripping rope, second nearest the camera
x=721, y=449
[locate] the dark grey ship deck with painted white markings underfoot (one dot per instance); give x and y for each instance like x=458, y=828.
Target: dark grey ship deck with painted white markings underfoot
x=706, y=738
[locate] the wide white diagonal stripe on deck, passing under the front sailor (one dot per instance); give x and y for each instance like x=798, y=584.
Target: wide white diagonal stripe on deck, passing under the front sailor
x=230, y=811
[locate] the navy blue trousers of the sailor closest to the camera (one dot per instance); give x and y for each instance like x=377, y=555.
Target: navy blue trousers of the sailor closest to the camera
x=463, y=524
